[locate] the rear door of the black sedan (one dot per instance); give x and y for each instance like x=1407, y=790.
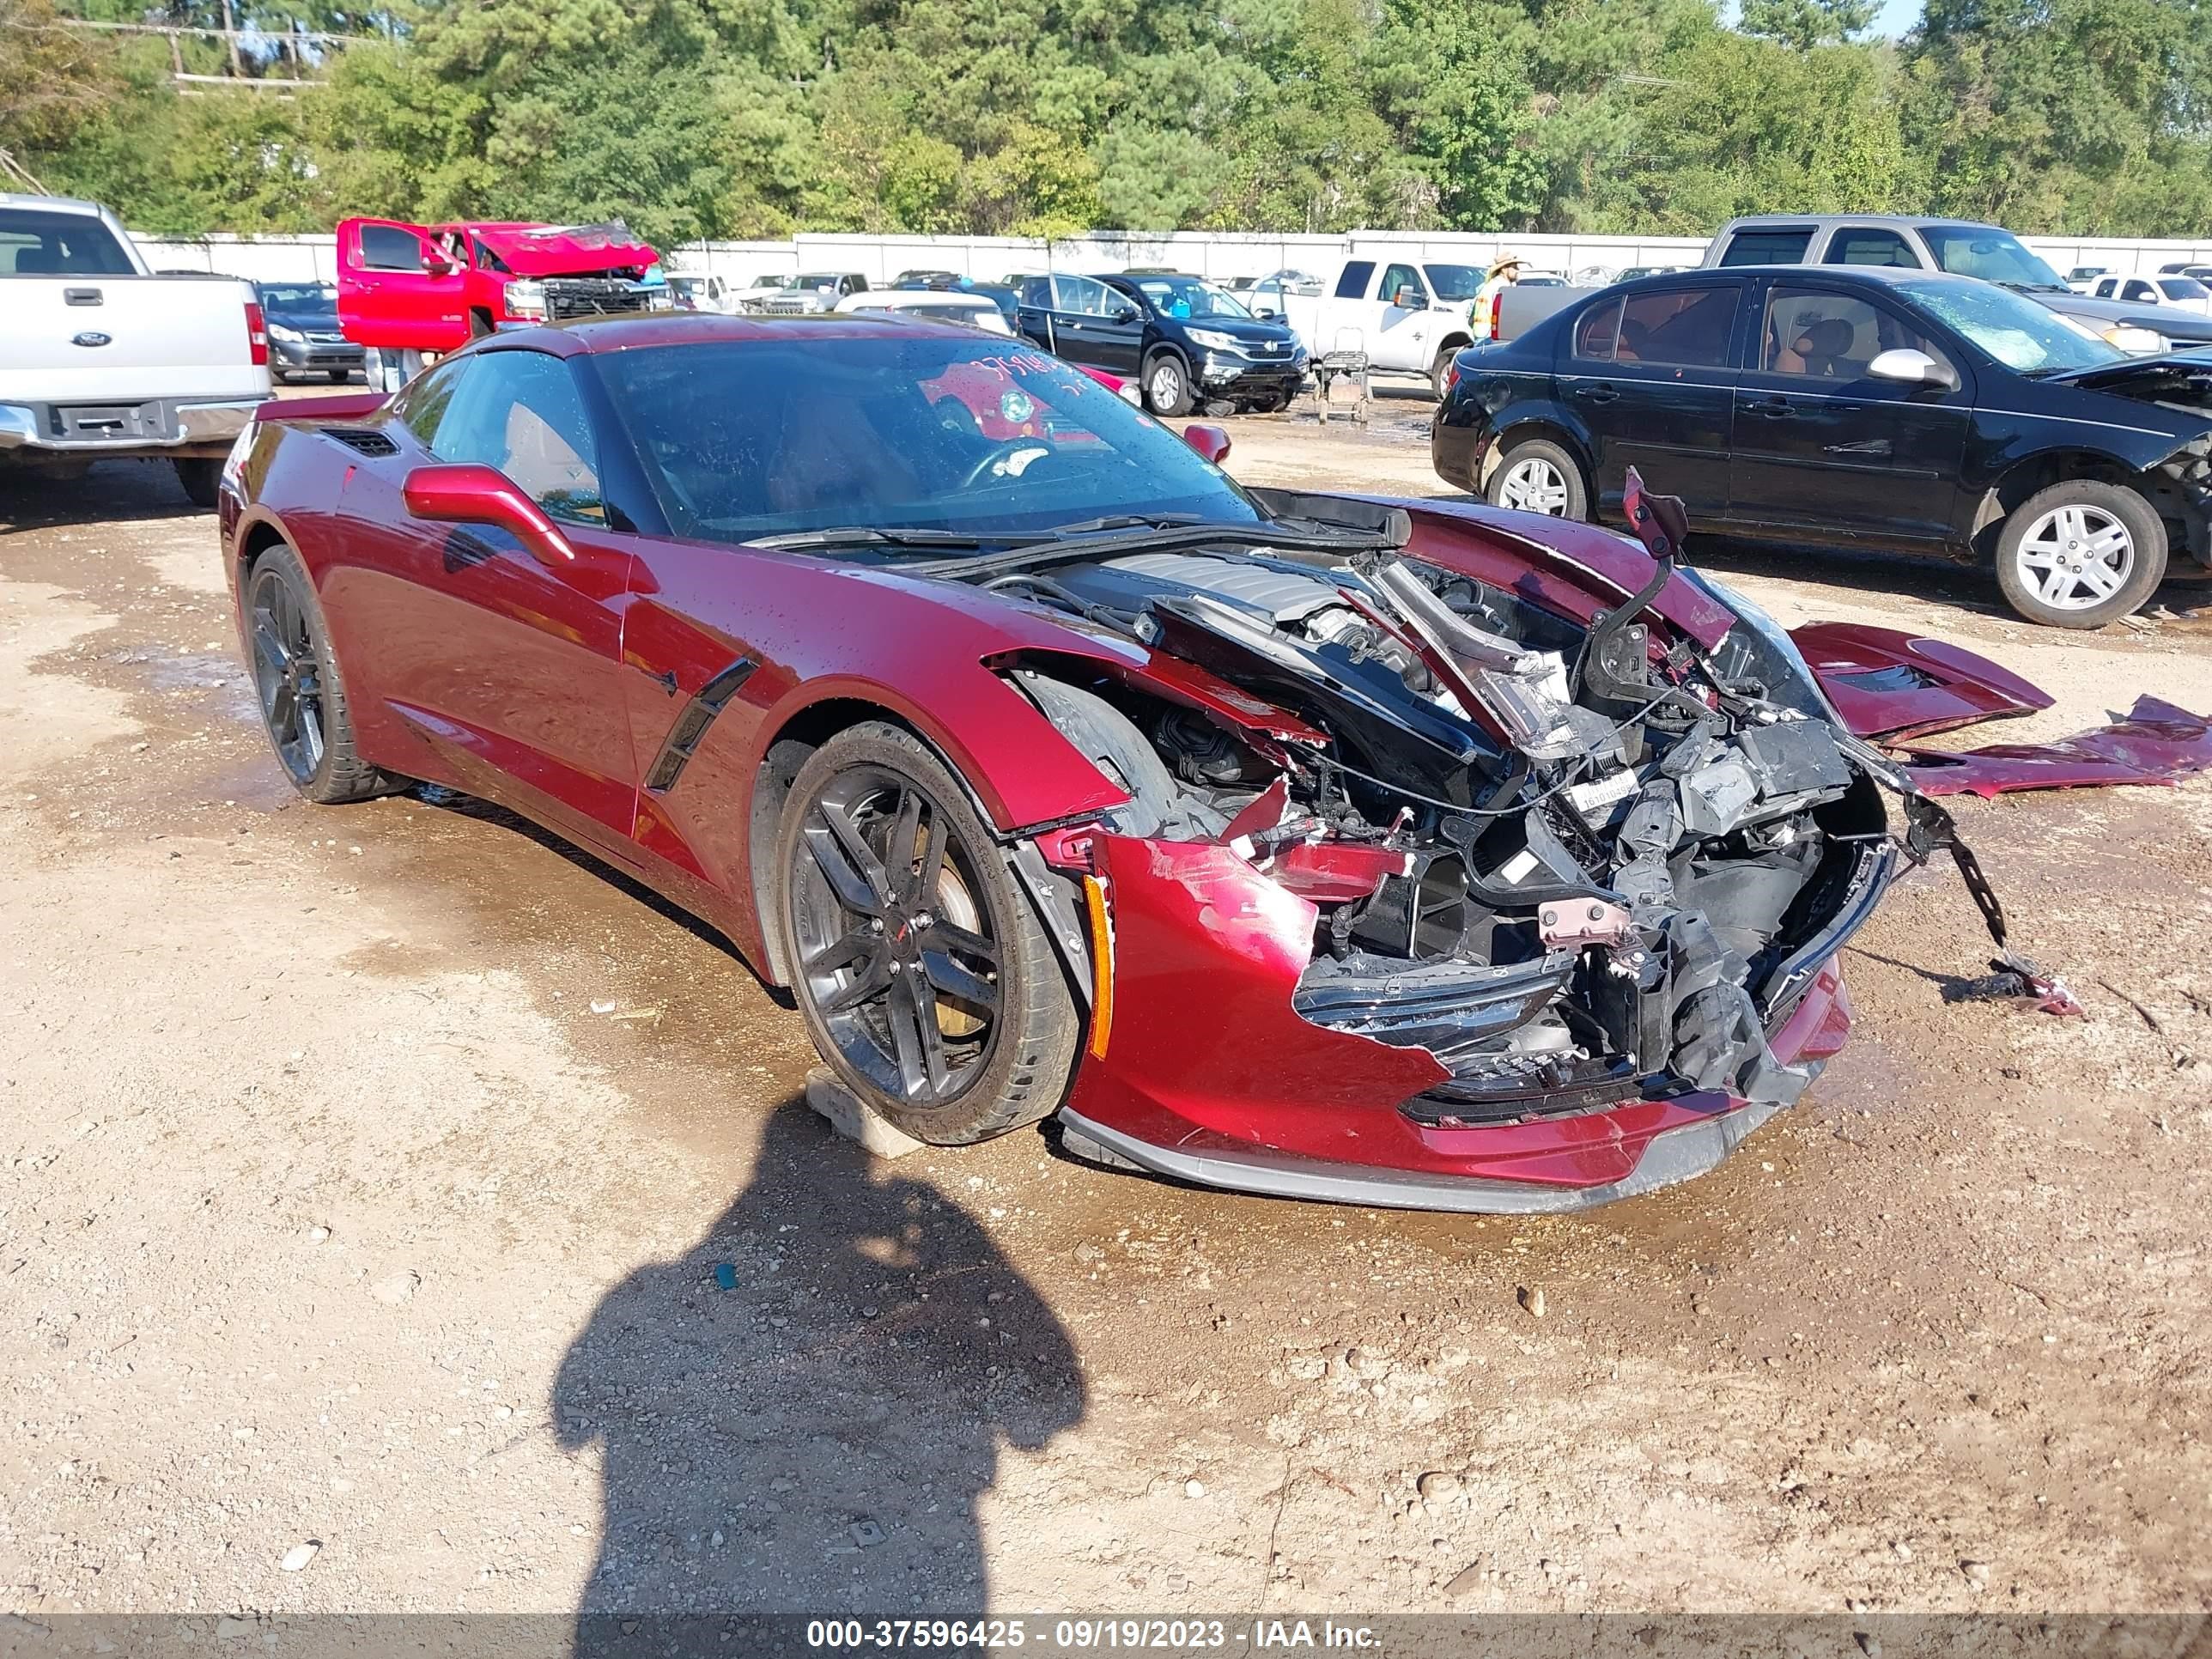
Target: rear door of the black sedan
x=1653, y=384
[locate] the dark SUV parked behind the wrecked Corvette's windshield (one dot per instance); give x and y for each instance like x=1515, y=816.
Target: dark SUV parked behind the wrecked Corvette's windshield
x=1182, y=340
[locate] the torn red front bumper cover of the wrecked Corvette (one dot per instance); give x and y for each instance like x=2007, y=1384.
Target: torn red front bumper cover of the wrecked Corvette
x=1264, y=1100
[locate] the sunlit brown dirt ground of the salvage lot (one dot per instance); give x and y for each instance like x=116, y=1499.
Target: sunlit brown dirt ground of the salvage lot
x=366, y=1176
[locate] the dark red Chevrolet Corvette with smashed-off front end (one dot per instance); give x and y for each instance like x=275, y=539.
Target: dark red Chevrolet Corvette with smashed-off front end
x=1395, y=853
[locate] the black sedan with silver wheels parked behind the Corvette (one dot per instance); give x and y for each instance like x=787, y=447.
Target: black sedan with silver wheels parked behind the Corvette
x=1890, y=410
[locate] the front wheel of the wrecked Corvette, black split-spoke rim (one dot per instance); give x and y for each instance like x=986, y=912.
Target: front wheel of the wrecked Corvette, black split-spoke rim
x=921, y=970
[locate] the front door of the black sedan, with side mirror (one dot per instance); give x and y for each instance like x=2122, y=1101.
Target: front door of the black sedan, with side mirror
x=1826, y=450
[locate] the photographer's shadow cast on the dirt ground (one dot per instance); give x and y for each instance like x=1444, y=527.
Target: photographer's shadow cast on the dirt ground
x=815, y=1437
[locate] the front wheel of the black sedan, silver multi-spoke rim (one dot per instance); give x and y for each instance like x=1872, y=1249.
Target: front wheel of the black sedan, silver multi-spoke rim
x=2080, y=554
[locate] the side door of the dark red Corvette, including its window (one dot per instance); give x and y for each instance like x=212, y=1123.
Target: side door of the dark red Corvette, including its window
x=501, y=654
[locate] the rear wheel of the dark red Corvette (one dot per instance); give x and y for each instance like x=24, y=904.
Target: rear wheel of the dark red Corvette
x=300, y=685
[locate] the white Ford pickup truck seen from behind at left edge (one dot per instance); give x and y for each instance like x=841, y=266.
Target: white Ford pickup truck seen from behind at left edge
x=103, y=359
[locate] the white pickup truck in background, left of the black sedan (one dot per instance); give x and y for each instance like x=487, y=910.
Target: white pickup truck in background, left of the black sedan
x=1406, y=315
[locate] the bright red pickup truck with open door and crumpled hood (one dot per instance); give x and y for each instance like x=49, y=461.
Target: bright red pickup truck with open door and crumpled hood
x=432, y=289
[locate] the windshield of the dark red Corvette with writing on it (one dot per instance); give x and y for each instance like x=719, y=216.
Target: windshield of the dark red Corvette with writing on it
x=950, y=435
